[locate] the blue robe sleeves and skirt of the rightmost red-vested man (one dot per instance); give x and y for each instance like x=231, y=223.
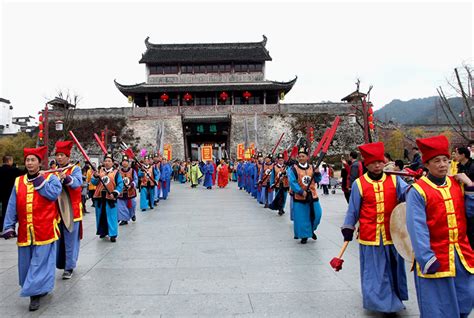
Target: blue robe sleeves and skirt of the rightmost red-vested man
x=437, y=297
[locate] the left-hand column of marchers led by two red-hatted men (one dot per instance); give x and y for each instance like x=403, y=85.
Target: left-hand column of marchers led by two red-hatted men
x=49, y=234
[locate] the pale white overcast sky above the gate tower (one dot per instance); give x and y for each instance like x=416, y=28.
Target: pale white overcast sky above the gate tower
x=405, y=50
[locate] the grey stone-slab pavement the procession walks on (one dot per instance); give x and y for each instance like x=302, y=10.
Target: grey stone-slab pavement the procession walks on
x=208, y=254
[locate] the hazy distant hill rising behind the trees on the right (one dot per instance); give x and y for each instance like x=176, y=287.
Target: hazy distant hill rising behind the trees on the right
x=416, y=111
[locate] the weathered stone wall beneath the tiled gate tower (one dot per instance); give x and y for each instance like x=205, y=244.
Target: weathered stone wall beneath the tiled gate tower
x=272, y=121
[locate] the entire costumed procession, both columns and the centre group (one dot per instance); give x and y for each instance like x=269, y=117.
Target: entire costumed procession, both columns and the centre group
x=439, y=213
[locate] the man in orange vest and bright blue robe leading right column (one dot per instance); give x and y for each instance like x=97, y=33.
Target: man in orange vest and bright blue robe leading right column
x=307, y=210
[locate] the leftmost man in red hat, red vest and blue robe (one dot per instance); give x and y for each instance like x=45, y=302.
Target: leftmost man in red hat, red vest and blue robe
x=32, y=205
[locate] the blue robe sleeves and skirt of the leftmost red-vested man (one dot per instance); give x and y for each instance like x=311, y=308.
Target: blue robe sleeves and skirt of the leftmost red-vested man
x=36, y=263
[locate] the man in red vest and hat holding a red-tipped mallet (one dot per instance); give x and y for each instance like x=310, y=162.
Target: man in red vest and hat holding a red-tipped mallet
x=373, y=197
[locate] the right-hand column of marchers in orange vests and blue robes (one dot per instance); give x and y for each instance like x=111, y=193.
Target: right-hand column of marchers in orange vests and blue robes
x=270, y=180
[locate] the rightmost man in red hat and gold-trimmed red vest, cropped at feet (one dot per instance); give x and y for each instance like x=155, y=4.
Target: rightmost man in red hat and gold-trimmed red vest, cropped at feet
x=436, y=222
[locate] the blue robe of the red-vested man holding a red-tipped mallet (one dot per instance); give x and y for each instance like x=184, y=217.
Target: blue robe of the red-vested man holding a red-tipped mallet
x=382, y=269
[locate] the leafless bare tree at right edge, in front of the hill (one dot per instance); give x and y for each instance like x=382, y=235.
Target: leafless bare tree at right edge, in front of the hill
x=460, y=86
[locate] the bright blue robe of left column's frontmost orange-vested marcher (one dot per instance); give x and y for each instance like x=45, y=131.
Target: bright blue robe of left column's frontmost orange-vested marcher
x=111, y=213
